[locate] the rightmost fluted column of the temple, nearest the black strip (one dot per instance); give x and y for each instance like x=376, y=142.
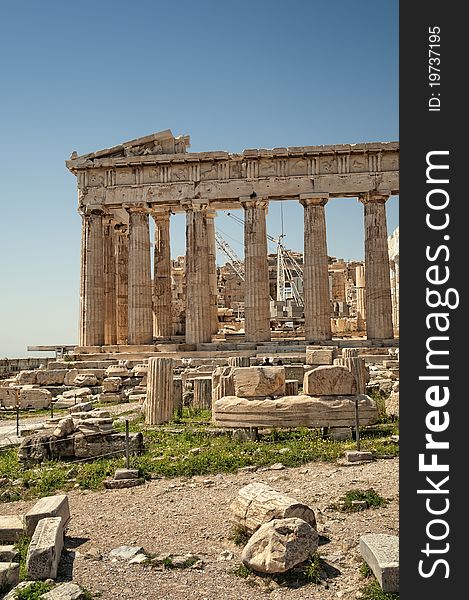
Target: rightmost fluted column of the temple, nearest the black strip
x=378, y=285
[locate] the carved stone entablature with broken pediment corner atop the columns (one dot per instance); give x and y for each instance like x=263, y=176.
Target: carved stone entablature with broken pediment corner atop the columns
x=110, y=177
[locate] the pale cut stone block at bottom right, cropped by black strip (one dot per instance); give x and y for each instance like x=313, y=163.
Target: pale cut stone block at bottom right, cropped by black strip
x=381, y=552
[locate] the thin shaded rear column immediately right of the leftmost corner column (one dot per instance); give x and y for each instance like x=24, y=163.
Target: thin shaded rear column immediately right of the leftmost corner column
x=109, y=257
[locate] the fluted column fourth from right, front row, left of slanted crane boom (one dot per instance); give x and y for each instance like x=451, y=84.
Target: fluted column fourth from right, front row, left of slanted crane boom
x=198, y=318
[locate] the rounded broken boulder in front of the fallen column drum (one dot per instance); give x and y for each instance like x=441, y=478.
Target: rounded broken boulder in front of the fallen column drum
x=280, y=545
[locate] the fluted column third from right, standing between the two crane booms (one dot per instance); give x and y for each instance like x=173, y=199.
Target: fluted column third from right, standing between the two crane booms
x=256, y=271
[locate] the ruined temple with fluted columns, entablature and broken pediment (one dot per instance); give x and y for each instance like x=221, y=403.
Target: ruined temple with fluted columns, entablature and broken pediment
x=123, y=304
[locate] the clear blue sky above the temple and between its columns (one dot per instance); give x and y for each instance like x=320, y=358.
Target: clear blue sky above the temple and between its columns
x=233, y=75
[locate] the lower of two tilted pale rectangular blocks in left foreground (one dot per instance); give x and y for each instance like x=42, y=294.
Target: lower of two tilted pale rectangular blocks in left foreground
x=45, y=548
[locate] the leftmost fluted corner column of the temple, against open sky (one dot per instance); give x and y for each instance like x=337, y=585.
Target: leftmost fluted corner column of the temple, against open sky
x=92, y=280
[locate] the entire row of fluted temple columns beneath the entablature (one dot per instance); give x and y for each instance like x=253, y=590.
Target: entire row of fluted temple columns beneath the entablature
x=119, y=305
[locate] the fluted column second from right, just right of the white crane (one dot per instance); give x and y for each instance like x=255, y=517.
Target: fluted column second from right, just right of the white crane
x=317, y=306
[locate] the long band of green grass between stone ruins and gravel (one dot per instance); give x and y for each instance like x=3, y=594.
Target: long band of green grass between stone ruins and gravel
x=187, y=449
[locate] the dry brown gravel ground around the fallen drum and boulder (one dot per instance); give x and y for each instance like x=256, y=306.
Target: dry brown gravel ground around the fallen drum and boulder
x=192, y=515
